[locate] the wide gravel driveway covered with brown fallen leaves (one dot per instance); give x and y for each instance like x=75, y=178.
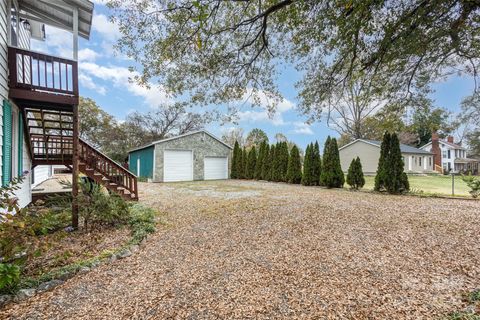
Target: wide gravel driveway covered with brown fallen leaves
x=244, y=250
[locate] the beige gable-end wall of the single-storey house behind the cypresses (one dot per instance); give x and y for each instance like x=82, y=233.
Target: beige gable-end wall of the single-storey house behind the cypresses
x=369, y=155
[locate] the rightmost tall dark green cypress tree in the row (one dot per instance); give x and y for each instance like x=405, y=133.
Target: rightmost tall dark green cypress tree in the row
x=396, y=180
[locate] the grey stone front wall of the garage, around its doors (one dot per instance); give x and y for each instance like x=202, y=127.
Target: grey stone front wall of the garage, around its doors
x=201, y=144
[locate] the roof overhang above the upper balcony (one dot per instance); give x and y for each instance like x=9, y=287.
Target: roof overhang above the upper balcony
x=59, y=13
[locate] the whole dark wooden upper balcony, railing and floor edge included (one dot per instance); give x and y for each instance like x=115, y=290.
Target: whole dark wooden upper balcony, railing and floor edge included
x=41, y=80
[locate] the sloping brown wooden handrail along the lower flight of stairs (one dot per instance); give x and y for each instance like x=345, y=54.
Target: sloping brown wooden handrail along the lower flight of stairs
x=108, y=168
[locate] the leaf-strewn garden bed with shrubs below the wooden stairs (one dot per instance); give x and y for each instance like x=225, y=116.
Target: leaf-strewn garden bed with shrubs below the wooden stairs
x=37, y=240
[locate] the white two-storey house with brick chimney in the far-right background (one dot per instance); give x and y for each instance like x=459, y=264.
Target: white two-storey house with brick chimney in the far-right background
x=450, y=156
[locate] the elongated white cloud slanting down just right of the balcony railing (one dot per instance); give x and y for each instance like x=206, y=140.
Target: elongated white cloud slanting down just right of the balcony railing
x=120, y=76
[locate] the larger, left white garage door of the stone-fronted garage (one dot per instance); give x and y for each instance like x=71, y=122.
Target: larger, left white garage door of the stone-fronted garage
x=177, y=165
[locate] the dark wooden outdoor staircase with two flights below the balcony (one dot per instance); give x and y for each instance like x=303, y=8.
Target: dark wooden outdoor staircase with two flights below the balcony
x=51, y=143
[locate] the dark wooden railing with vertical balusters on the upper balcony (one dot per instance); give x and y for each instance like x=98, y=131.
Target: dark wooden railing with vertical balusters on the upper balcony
x=38, y=71
